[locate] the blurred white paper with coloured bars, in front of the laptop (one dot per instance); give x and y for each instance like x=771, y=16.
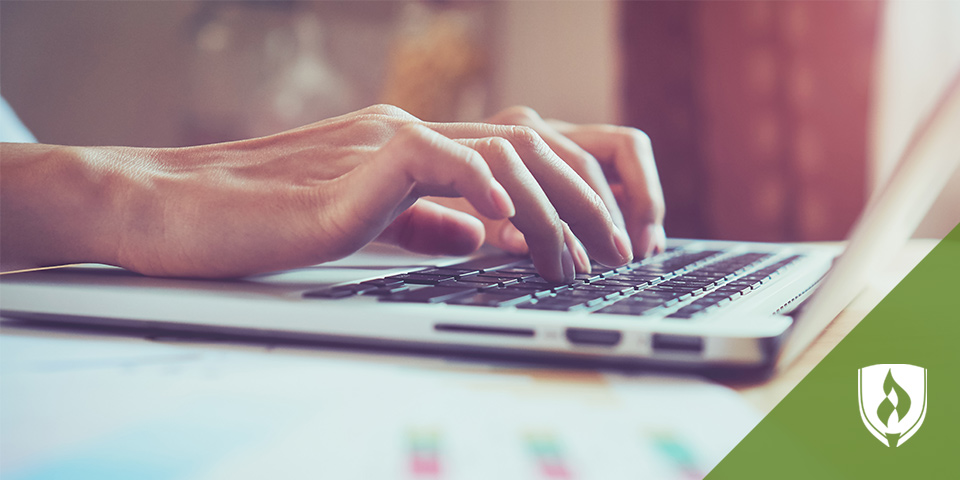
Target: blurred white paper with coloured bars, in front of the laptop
x=111, y=409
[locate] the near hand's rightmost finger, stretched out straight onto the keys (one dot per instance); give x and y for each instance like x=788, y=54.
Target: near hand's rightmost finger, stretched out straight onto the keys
x=574, y=200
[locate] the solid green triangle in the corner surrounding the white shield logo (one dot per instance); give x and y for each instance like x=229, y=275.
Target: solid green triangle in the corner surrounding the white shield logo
x=816, y=431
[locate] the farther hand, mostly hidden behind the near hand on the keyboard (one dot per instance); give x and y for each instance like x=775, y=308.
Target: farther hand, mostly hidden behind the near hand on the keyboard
x=617, y=163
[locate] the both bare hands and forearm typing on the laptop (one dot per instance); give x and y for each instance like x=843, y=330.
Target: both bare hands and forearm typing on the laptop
x=557, y=191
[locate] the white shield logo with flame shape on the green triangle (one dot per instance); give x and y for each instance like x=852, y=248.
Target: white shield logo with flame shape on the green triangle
x=893, y=401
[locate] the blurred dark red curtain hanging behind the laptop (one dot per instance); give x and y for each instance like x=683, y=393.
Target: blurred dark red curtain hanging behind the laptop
x=758, y=112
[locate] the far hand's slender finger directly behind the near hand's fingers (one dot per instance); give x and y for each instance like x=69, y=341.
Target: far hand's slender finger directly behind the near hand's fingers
x=576, y=157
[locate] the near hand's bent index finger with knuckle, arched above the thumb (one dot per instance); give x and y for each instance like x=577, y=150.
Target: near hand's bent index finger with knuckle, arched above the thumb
x=415, y=162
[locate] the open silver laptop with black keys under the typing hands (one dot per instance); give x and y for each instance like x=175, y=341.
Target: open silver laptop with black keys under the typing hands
x=700, y=304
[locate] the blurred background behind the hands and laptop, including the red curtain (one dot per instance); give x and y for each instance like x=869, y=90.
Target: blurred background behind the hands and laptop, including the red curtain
x=771, y=121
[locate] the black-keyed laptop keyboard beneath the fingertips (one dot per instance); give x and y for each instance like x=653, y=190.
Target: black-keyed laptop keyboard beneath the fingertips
x=679, y=284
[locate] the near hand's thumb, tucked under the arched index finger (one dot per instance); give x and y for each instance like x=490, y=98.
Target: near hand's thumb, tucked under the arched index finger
x=433, y=229
